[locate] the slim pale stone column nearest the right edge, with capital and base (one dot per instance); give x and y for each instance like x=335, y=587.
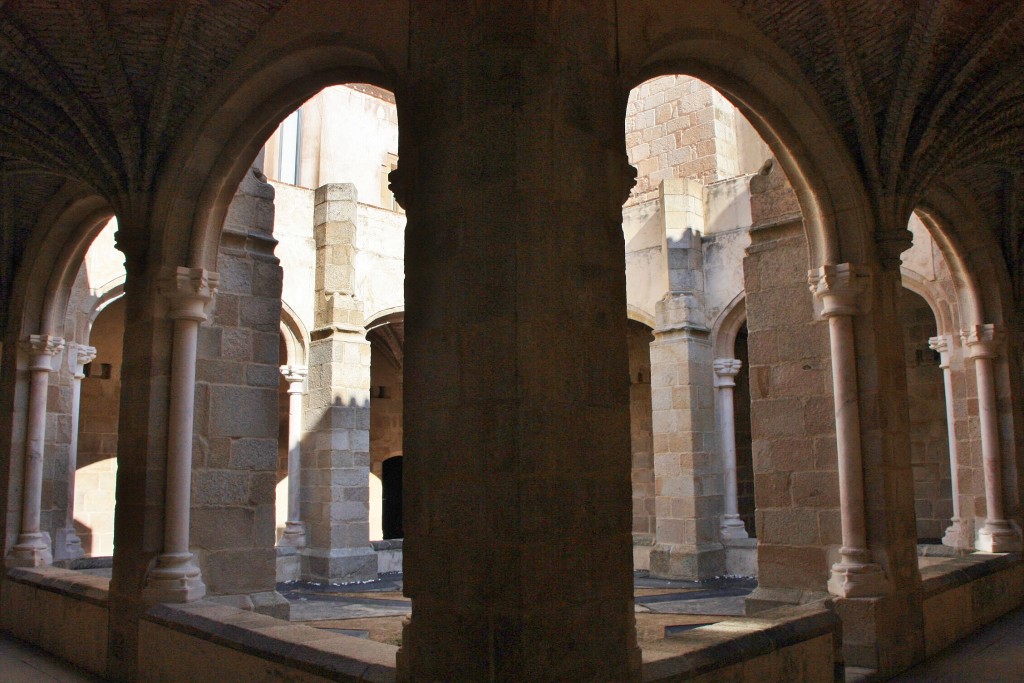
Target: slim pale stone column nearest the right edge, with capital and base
x=983, y=344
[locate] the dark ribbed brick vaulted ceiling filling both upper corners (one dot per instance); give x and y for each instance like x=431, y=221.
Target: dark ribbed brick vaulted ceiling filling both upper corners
x=920, y=91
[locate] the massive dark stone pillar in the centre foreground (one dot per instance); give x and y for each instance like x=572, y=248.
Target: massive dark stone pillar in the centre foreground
x=518, y=495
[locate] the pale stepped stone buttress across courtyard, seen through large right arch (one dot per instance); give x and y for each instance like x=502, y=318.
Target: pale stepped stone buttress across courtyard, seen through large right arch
x=688, y=477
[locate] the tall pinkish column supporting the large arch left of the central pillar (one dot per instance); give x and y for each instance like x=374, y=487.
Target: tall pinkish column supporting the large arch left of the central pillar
x=176, y=578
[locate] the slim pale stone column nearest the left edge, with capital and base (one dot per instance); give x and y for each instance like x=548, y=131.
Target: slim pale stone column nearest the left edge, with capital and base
x=33, y=547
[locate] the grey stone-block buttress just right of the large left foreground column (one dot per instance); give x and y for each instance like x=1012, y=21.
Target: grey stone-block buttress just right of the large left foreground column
x=235, y=448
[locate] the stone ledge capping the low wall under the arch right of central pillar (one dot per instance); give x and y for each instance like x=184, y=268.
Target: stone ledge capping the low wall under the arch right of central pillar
x=732, y=643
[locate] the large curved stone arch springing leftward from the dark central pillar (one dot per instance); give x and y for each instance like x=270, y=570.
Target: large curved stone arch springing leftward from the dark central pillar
x=265, y=87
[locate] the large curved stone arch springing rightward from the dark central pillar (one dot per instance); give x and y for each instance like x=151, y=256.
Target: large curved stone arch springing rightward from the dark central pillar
x=719, y=47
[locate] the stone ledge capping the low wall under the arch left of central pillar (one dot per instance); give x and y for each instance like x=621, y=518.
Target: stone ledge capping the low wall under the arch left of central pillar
x=295, y=647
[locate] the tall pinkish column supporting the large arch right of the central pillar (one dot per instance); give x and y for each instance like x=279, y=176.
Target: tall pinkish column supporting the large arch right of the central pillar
x=856, y=576
